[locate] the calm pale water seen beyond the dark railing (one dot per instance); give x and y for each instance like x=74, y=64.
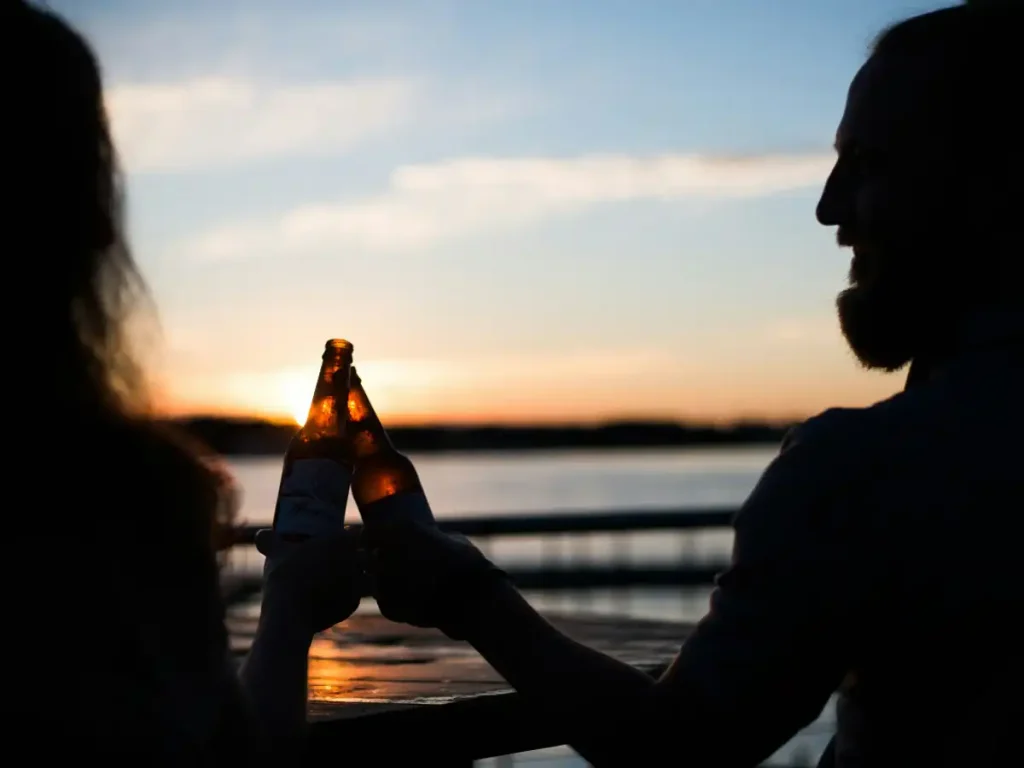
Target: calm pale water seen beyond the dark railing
x=506, y=484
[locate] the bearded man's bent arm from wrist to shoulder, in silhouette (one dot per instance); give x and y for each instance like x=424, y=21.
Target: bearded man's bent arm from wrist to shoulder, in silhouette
x=760, y=666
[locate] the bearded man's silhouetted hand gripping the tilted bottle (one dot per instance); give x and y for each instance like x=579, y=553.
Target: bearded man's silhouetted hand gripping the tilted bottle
x=421, y=576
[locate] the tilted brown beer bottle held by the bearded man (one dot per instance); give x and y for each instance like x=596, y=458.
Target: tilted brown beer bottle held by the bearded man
x=386, y=485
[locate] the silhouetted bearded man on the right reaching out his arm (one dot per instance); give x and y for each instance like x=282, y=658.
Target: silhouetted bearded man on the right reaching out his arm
x=878, y=554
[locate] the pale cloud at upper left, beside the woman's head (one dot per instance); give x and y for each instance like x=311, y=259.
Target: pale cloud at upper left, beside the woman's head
x=221, y=121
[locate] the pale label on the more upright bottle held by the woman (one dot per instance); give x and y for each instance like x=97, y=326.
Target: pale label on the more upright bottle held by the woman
x=313, y=498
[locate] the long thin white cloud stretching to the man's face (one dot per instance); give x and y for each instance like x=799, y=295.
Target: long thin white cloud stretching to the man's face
x=428, y=204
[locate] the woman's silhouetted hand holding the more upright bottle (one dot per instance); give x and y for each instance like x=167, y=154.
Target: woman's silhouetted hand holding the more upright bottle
x=318, y=583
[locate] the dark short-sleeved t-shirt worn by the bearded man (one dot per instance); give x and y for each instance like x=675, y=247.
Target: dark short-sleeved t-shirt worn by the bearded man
x=879, y=557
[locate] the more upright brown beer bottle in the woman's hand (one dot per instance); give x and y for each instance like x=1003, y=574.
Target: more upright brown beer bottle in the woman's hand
x=318, y=471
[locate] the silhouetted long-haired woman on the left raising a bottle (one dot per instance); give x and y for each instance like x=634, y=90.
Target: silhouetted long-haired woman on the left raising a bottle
x=112, y=605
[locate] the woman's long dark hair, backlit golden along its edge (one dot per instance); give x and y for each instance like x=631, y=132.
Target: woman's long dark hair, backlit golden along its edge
x=88, y=301
